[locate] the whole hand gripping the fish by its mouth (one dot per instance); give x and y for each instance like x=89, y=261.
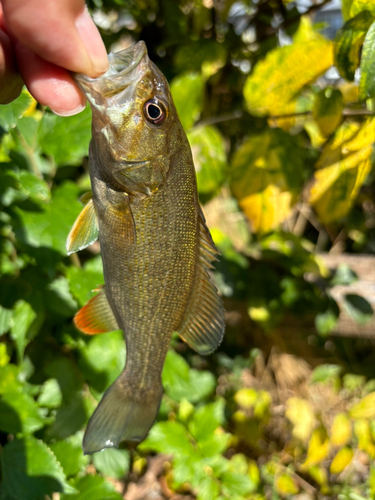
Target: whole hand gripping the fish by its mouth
x=41, y=42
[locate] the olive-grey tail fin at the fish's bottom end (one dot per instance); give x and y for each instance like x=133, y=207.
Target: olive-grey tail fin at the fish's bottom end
x=124, y=413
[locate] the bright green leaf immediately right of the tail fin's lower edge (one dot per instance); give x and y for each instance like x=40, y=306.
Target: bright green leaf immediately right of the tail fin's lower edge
x=168, y=437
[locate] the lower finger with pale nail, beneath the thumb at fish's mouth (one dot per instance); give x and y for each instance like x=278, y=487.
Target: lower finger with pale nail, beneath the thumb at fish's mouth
x=49, y=84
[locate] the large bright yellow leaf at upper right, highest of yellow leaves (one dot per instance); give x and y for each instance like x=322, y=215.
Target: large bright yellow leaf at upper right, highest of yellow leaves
x=278, y=78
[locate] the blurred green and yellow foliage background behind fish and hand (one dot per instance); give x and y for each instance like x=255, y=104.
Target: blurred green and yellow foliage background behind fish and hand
x=277, y=100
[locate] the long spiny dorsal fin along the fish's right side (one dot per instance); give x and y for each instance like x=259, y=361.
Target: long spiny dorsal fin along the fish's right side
x=202, y=326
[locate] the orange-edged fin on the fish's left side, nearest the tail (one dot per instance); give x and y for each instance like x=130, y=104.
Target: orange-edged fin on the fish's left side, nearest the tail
x=96, y=316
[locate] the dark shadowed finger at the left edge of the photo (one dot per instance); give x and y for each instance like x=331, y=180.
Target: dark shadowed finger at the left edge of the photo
x=11, y=81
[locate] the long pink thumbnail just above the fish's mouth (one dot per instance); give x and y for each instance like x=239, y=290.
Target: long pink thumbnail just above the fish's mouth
x=93, y=43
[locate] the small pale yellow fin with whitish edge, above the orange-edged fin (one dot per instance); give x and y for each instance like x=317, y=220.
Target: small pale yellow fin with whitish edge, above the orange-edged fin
x=85, y=229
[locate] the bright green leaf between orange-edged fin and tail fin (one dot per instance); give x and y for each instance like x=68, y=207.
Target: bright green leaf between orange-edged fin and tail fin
x=103, y=359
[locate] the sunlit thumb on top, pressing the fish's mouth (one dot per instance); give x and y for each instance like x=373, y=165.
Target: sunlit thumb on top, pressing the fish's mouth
x=59, y=31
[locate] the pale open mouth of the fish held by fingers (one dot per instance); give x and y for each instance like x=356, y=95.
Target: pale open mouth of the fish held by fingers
x=125, y=68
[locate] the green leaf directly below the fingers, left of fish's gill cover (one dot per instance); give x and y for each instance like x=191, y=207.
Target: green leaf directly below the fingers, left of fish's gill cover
x=66, y=139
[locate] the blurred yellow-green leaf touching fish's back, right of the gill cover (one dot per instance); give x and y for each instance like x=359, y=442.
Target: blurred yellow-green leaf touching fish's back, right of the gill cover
x=207, y=146
